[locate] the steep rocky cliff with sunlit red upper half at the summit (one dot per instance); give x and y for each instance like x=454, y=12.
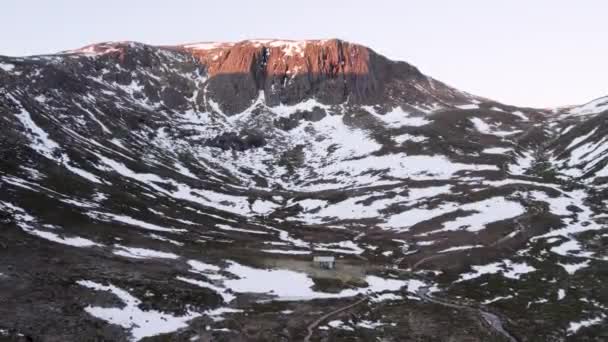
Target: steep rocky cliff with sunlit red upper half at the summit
x=331, y=71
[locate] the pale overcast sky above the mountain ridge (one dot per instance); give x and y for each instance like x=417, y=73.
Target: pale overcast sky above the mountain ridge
x=530, y=53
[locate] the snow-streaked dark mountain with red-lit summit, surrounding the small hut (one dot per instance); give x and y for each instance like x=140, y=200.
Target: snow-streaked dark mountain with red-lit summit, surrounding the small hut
x=181, y=193
